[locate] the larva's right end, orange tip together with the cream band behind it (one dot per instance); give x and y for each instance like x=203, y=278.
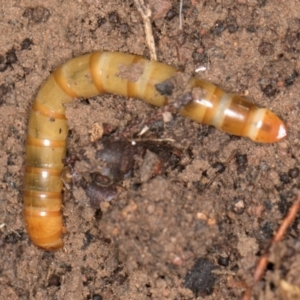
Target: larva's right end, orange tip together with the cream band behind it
x=267, y=127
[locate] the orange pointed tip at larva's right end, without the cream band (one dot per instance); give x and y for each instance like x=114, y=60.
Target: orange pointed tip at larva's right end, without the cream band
x=271, y=130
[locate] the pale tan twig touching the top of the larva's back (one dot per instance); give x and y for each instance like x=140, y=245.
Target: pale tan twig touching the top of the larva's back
x=146, y=14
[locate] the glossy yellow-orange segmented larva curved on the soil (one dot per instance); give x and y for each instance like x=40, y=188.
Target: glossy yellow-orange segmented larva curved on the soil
x=100, y=72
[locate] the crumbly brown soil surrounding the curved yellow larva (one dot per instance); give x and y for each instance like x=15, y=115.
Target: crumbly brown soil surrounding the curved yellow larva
x=143, y=245
